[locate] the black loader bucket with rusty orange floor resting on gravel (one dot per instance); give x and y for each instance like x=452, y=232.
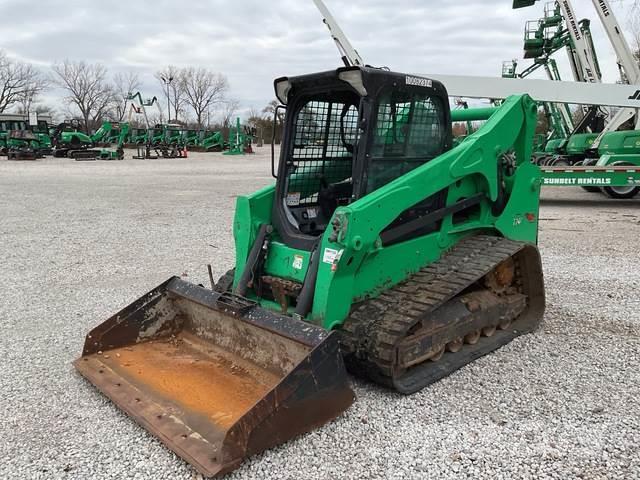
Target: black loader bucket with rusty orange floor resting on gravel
x=215, y=377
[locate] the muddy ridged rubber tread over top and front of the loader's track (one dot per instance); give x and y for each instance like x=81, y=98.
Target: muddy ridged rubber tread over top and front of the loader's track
x=374, y=327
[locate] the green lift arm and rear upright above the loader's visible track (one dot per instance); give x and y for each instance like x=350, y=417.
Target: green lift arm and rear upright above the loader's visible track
x=356, y=265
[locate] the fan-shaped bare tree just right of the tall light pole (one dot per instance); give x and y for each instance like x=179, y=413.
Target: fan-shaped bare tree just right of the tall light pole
x=203, y=89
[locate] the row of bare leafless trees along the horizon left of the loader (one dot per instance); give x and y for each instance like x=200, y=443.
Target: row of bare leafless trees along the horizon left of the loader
x=196, y=97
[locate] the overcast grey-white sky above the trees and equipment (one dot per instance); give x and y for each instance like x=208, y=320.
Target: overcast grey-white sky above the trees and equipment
x=254, y=41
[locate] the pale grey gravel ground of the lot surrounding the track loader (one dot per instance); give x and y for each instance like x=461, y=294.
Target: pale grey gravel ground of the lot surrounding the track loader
x=81, y=240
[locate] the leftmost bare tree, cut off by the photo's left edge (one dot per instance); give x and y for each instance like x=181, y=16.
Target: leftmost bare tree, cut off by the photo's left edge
x=20, y=83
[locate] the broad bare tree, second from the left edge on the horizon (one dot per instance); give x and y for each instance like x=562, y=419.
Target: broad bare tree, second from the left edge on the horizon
x=88, y=89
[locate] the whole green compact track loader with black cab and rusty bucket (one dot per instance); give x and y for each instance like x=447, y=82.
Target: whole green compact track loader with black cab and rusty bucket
x=380, y=248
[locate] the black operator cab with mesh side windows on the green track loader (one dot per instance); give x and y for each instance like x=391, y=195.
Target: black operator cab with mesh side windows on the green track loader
x=349, y=132
